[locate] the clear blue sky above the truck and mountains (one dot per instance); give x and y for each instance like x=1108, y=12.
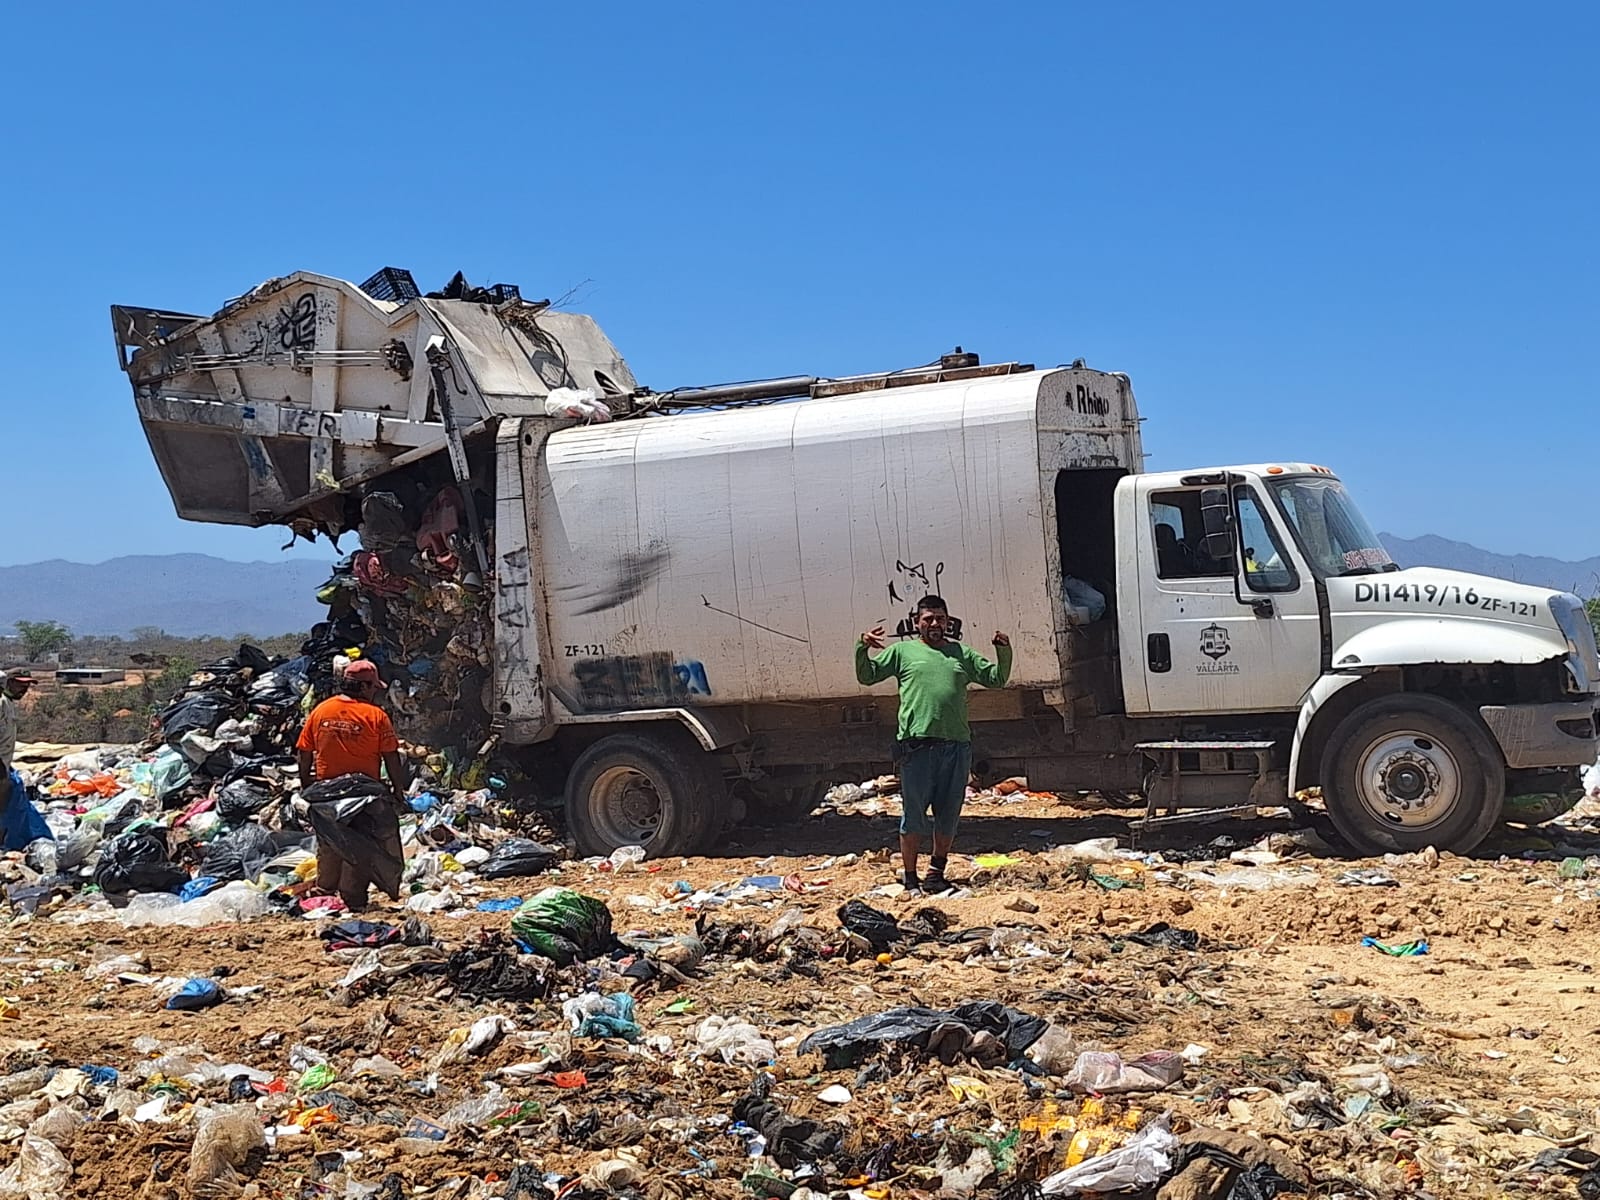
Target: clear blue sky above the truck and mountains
x=1356, y=234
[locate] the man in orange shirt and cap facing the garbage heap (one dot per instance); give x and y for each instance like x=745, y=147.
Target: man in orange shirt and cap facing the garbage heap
x=351, y=735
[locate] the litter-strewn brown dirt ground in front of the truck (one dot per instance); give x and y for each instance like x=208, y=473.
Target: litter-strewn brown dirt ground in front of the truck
x=1372, y=1074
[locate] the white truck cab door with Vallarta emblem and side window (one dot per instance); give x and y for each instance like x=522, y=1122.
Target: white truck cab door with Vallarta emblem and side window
x=1222, y=633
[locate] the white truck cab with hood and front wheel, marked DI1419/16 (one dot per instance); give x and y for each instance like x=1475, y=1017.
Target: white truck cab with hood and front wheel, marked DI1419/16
x=1418, y=694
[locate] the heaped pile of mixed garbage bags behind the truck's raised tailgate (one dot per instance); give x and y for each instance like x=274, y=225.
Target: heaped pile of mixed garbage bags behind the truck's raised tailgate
x=210, y=820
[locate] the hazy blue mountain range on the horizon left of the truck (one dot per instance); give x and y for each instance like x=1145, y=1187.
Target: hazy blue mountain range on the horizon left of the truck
x=185, y=594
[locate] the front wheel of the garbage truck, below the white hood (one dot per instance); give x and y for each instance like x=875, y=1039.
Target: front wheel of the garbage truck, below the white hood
x=1410, y=772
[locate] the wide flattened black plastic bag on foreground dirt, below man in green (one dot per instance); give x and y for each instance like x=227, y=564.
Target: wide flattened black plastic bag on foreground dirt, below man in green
x=986, y=1030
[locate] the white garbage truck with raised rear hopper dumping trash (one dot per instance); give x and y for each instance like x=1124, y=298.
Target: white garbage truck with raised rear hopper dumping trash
x=652, y=598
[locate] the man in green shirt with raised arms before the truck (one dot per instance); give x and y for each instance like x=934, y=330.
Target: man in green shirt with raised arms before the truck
x=935, y=740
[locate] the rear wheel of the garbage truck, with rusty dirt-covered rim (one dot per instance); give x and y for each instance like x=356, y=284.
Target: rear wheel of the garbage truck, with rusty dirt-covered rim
x=660, y=793
